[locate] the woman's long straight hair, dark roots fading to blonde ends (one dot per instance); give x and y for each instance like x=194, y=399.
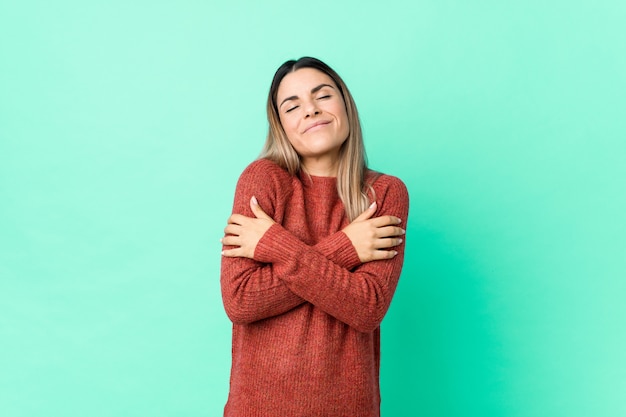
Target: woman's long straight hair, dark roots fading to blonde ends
x=352, y=167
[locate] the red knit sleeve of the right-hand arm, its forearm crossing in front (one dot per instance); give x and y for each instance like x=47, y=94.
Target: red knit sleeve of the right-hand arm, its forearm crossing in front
x=359, y=298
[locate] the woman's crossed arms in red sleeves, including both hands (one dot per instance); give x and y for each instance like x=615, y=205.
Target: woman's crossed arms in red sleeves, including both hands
x=351, y=274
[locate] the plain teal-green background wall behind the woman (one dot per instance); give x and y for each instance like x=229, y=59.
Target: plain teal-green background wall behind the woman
x=124, y=127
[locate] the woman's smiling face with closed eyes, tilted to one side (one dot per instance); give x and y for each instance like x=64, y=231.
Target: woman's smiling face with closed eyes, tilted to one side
x=313, y=115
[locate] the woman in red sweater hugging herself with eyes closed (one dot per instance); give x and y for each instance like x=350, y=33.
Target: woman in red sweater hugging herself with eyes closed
x=312, y=257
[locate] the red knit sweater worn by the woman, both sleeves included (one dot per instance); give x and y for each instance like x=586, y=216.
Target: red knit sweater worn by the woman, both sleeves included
x=306, y=312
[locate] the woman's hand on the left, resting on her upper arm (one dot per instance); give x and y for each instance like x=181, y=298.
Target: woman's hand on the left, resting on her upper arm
x=245, y=232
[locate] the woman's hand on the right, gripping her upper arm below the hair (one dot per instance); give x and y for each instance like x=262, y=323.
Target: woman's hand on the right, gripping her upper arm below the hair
x=370, y=237
